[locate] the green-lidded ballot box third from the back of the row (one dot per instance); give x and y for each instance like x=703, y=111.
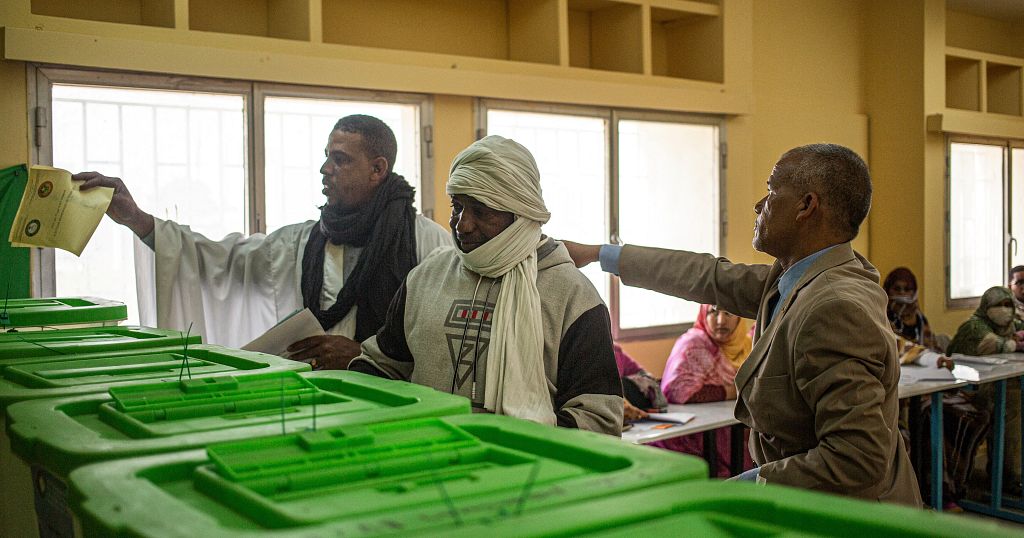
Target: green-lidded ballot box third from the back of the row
x=55, y=377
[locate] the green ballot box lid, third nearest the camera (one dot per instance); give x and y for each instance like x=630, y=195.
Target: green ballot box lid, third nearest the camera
x=64, y=434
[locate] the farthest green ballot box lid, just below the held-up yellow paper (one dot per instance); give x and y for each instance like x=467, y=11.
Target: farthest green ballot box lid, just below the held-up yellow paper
x=88, y=341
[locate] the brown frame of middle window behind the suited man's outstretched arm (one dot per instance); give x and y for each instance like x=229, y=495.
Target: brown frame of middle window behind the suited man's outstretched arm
x=613, y=116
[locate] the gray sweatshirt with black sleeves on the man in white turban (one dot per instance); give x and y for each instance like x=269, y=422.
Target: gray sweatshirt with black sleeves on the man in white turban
x=438, y=335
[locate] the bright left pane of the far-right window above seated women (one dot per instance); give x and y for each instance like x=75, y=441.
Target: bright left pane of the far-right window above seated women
x=975, y=220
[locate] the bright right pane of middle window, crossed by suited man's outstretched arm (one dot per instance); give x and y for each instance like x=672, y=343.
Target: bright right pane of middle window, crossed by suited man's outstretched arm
x=668, y=198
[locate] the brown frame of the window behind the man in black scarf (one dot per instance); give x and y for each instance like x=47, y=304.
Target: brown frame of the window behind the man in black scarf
x=41, y=78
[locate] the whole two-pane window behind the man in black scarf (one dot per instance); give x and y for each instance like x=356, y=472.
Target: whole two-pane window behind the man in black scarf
x=186, y=150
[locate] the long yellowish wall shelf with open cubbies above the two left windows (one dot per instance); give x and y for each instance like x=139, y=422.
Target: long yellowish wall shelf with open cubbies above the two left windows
x=662, y=55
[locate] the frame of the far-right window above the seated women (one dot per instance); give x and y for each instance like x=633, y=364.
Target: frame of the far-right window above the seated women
x=1007, y=145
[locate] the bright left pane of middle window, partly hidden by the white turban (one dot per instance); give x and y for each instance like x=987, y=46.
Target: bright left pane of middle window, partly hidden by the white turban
x=571, y=152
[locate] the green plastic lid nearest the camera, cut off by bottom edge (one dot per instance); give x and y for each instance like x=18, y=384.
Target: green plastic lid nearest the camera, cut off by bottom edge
x=733, y=510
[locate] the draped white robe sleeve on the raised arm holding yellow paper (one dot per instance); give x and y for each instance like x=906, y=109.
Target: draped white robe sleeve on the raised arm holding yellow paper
x=231, y=291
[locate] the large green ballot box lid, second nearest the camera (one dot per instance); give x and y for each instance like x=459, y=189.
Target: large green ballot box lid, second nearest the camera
x=399, y=478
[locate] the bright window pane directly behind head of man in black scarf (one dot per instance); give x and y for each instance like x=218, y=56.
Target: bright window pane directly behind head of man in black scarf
x=296, y=133
